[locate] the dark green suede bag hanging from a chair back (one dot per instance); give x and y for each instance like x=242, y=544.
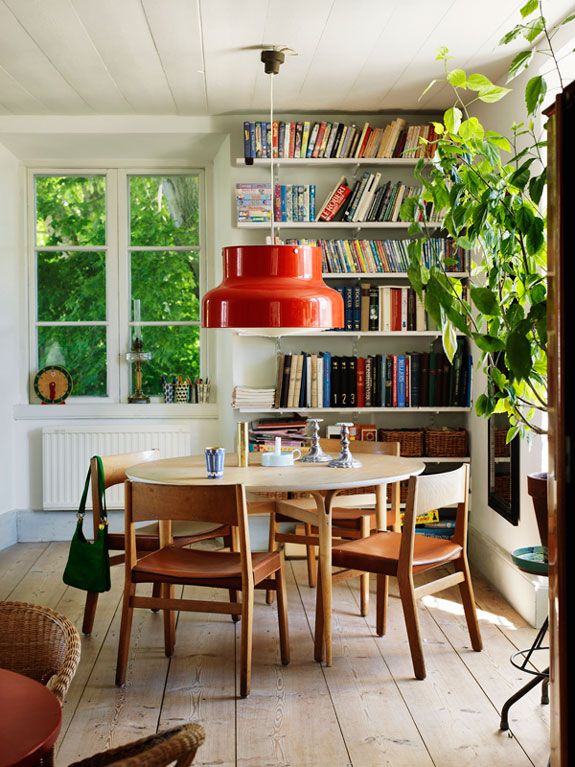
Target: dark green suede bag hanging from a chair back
x=88, y=565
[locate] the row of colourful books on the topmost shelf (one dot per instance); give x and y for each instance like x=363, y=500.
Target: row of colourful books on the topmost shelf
x=324, y=139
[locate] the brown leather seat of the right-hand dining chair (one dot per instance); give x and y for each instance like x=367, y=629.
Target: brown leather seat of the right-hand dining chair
x=380, y=553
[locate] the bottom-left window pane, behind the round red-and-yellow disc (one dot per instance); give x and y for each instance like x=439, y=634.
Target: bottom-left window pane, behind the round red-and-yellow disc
x=82, y=351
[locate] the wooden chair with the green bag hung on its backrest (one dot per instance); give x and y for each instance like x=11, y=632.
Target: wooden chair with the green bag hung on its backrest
x=115, y=467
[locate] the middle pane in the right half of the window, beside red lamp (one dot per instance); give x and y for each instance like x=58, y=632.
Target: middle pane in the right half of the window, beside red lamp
x=167, y=285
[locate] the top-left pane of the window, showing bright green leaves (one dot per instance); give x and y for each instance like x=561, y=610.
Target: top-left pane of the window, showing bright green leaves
x=70, y=210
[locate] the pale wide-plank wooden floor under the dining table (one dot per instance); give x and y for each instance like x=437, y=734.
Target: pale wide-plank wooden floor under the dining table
x=367, y=709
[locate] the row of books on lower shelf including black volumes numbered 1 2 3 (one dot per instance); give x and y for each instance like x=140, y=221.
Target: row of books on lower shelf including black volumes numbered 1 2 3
x=416, y=379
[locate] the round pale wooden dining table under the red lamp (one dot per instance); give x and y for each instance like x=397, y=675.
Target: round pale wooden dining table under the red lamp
x=376, y=470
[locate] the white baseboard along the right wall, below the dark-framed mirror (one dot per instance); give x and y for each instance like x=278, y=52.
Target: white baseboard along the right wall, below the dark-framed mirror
x=528, y=594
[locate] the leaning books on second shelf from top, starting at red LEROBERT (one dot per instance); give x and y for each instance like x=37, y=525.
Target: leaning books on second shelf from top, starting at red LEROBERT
x=367, y=200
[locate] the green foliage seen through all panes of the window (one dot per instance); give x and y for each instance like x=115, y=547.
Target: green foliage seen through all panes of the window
x=163, y=213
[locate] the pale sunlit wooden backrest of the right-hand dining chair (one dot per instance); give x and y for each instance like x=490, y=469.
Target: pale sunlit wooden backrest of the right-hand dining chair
x=435, y=491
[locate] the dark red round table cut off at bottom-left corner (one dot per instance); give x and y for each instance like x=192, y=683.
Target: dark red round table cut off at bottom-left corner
x=30, y=720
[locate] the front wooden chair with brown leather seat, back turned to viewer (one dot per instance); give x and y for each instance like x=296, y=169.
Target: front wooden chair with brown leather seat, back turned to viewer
x=236, y=570
